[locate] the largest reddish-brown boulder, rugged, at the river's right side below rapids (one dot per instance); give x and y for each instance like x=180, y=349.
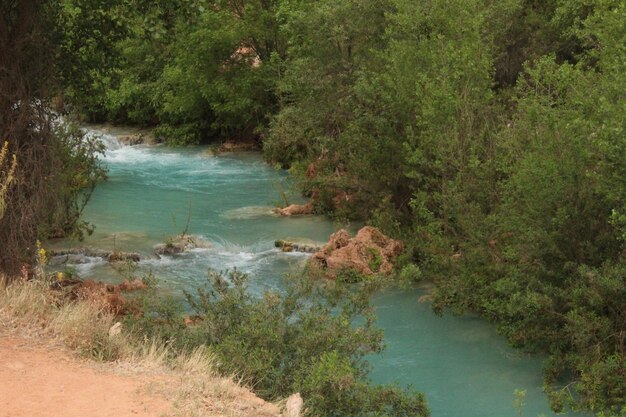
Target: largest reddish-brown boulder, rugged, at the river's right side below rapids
x=369, y=252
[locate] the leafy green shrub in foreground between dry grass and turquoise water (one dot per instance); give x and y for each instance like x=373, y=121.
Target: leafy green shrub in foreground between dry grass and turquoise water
x=312, y=339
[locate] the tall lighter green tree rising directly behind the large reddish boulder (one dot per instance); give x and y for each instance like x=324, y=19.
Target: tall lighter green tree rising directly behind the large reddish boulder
x=423, y=108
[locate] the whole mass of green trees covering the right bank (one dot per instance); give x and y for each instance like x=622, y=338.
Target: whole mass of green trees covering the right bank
x=491, y=138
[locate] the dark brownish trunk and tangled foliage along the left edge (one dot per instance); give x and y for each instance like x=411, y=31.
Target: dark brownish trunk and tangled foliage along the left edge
x=55, y=167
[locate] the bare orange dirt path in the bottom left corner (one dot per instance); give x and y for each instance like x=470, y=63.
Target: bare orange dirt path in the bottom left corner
x=44, y=381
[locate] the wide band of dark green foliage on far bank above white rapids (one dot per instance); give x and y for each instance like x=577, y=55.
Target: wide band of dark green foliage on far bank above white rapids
x=190, y=67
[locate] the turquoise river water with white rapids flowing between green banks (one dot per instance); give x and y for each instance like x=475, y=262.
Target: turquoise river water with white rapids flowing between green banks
x=462, y=366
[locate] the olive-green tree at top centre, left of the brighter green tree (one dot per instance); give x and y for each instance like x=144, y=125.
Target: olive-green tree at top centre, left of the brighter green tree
x=328, y=43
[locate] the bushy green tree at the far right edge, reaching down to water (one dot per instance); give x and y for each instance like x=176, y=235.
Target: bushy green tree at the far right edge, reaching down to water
x=549, y=267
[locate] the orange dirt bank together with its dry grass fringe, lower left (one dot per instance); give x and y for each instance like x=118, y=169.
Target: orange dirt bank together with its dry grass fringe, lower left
x=72, y=358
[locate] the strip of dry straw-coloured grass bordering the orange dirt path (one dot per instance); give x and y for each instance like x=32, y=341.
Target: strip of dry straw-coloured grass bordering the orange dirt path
x=190, y=380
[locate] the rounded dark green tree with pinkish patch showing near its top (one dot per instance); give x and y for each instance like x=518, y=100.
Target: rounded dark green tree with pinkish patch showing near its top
x=227, y=82
